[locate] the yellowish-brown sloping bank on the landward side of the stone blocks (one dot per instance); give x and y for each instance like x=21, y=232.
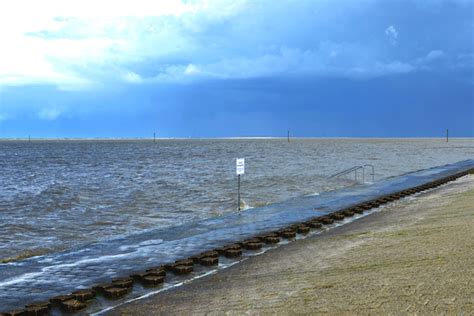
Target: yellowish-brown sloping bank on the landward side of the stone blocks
x=414, y=257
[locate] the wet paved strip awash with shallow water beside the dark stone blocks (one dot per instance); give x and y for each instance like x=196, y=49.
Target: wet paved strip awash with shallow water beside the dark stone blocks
x=42, y=277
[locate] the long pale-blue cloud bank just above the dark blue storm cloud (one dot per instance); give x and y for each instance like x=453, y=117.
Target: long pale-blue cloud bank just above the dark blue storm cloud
x=329, y=59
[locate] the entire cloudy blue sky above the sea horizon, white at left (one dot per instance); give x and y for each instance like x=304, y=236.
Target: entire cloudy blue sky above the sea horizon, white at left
x=230, y=68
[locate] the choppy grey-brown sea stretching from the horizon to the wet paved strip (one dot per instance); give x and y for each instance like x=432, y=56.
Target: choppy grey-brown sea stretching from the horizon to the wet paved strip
x=57, y=194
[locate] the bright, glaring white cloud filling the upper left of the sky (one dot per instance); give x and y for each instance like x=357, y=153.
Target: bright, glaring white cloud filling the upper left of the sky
x=75, y=44
